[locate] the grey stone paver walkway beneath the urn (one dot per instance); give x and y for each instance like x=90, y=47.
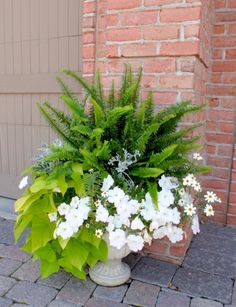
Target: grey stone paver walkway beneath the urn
x=206, y=278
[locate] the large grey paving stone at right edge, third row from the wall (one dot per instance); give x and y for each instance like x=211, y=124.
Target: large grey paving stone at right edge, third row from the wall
x=211, y=262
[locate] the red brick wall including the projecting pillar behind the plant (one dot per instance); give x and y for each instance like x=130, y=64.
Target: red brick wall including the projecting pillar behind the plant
x=173, y=42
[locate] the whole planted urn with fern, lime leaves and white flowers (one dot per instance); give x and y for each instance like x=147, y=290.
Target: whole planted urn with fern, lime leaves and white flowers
x=119, y=176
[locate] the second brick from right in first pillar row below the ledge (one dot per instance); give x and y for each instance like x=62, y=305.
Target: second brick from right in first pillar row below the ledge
x=159, y=65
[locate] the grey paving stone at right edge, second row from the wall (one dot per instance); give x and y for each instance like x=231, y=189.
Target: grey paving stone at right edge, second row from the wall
x=214, y=244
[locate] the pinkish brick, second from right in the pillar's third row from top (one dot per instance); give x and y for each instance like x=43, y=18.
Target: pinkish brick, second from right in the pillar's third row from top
x=161, y=32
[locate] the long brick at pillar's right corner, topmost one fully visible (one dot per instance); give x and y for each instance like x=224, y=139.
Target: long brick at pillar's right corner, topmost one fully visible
x=180, y=14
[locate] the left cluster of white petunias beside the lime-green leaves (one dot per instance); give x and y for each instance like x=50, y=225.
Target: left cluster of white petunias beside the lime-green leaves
x=70, y=217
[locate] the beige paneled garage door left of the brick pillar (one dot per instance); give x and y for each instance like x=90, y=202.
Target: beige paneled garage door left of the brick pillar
x=37, y=39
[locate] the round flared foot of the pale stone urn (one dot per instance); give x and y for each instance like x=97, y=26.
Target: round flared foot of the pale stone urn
x=111, y=273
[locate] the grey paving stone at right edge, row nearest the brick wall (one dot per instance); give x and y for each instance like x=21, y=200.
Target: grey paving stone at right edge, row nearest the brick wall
x=219, y=230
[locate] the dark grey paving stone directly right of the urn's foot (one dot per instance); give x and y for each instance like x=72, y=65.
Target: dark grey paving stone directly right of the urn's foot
x=154, y=271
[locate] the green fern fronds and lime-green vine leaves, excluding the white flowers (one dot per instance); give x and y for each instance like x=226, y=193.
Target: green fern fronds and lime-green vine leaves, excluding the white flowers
x=114, y=123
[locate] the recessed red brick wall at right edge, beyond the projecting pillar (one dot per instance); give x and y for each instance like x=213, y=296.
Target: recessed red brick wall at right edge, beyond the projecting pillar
x=220, y=134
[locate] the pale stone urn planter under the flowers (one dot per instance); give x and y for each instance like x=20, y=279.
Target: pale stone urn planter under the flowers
x=113, y=272
